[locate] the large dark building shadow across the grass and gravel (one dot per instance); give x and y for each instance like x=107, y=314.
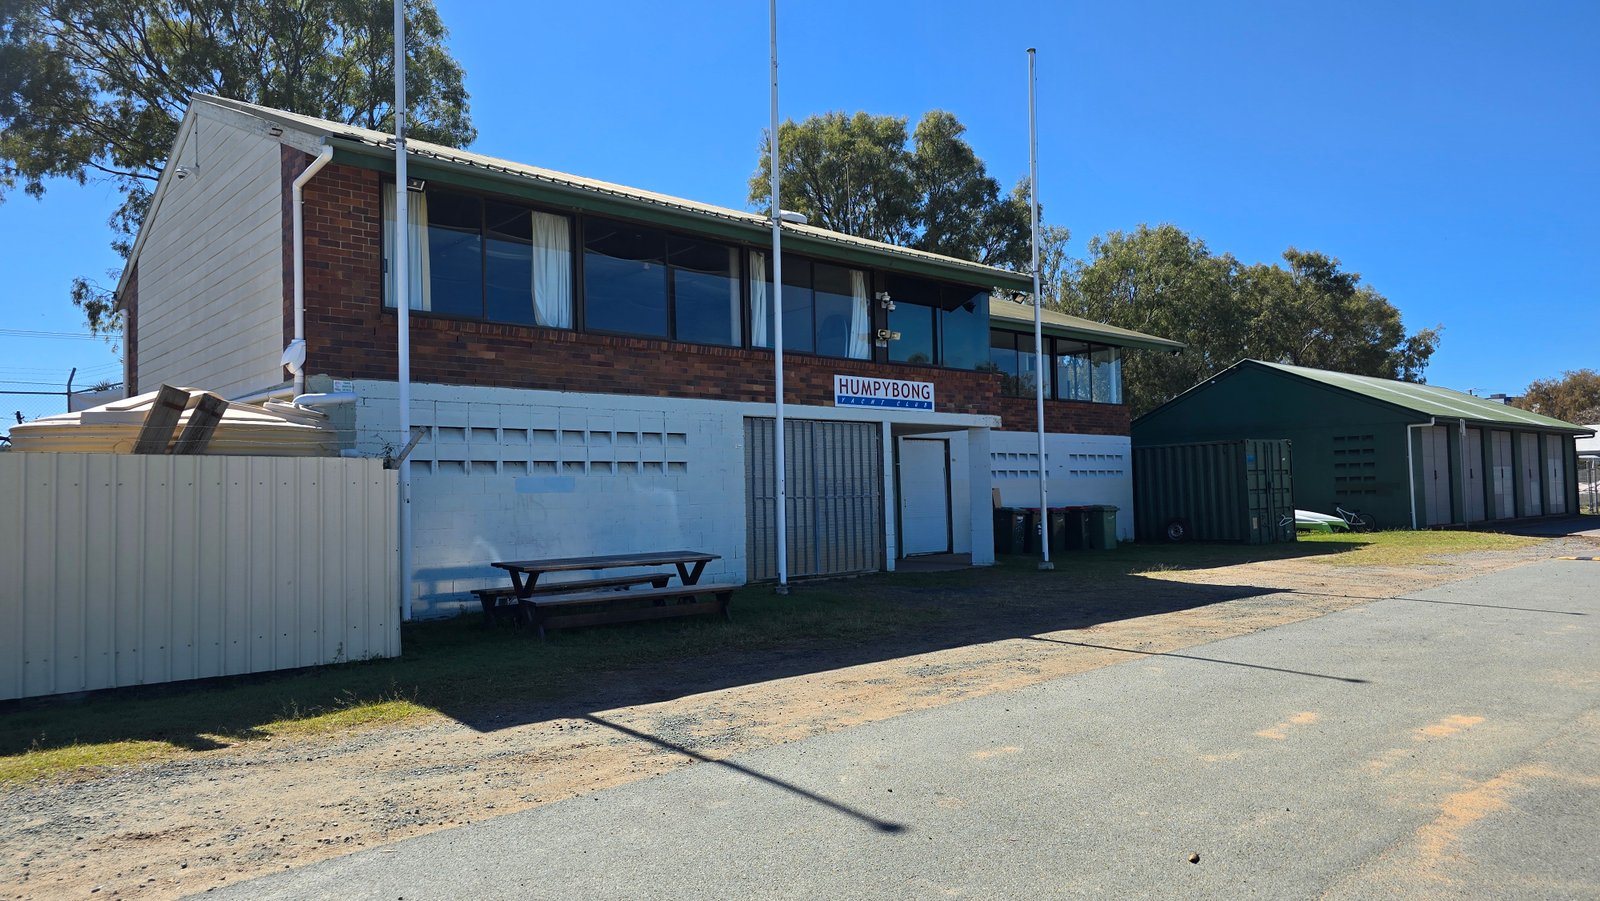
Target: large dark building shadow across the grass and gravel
x=494, y=679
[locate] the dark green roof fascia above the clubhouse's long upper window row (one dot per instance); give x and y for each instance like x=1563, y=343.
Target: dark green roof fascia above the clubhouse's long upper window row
x=513, y=185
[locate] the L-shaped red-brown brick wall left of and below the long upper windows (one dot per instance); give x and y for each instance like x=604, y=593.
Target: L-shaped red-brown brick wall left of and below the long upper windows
x=350, y=335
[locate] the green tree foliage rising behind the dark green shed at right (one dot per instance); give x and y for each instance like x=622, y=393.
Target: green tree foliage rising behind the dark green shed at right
x=1308, y=313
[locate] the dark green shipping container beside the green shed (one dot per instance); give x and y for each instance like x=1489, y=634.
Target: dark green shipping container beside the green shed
x=1215, y=492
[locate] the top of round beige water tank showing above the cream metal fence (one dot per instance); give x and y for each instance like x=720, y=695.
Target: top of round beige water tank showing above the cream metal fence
x=183, y=422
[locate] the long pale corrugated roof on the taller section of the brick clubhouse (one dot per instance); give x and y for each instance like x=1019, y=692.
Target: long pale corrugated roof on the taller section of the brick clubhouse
x=975, y=273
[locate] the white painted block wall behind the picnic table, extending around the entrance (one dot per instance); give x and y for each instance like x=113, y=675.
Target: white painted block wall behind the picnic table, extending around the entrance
x=510, y=475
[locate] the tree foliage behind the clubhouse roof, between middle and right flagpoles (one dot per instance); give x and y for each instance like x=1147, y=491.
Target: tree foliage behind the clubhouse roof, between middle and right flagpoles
x=870, y=177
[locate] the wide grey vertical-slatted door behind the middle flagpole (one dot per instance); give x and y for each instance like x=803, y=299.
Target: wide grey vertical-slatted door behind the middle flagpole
x=834, y=475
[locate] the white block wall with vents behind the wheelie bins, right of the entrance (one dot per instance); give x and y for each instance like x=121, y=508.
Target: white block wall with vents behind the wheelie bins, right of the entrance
x=1084, y=470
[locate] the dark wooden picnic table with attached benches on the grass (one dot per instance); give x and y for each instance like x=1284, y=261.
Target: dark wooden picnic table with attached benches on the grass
x=591, y=603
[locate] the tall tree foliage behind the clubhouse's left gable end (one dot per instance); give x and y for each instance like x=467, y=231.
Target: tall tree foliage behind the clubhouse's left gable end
x=97, y=89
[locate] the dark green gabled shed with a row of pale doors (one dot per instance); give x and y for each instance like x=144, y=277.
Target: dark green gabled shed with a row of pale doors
x=1410, y=455
